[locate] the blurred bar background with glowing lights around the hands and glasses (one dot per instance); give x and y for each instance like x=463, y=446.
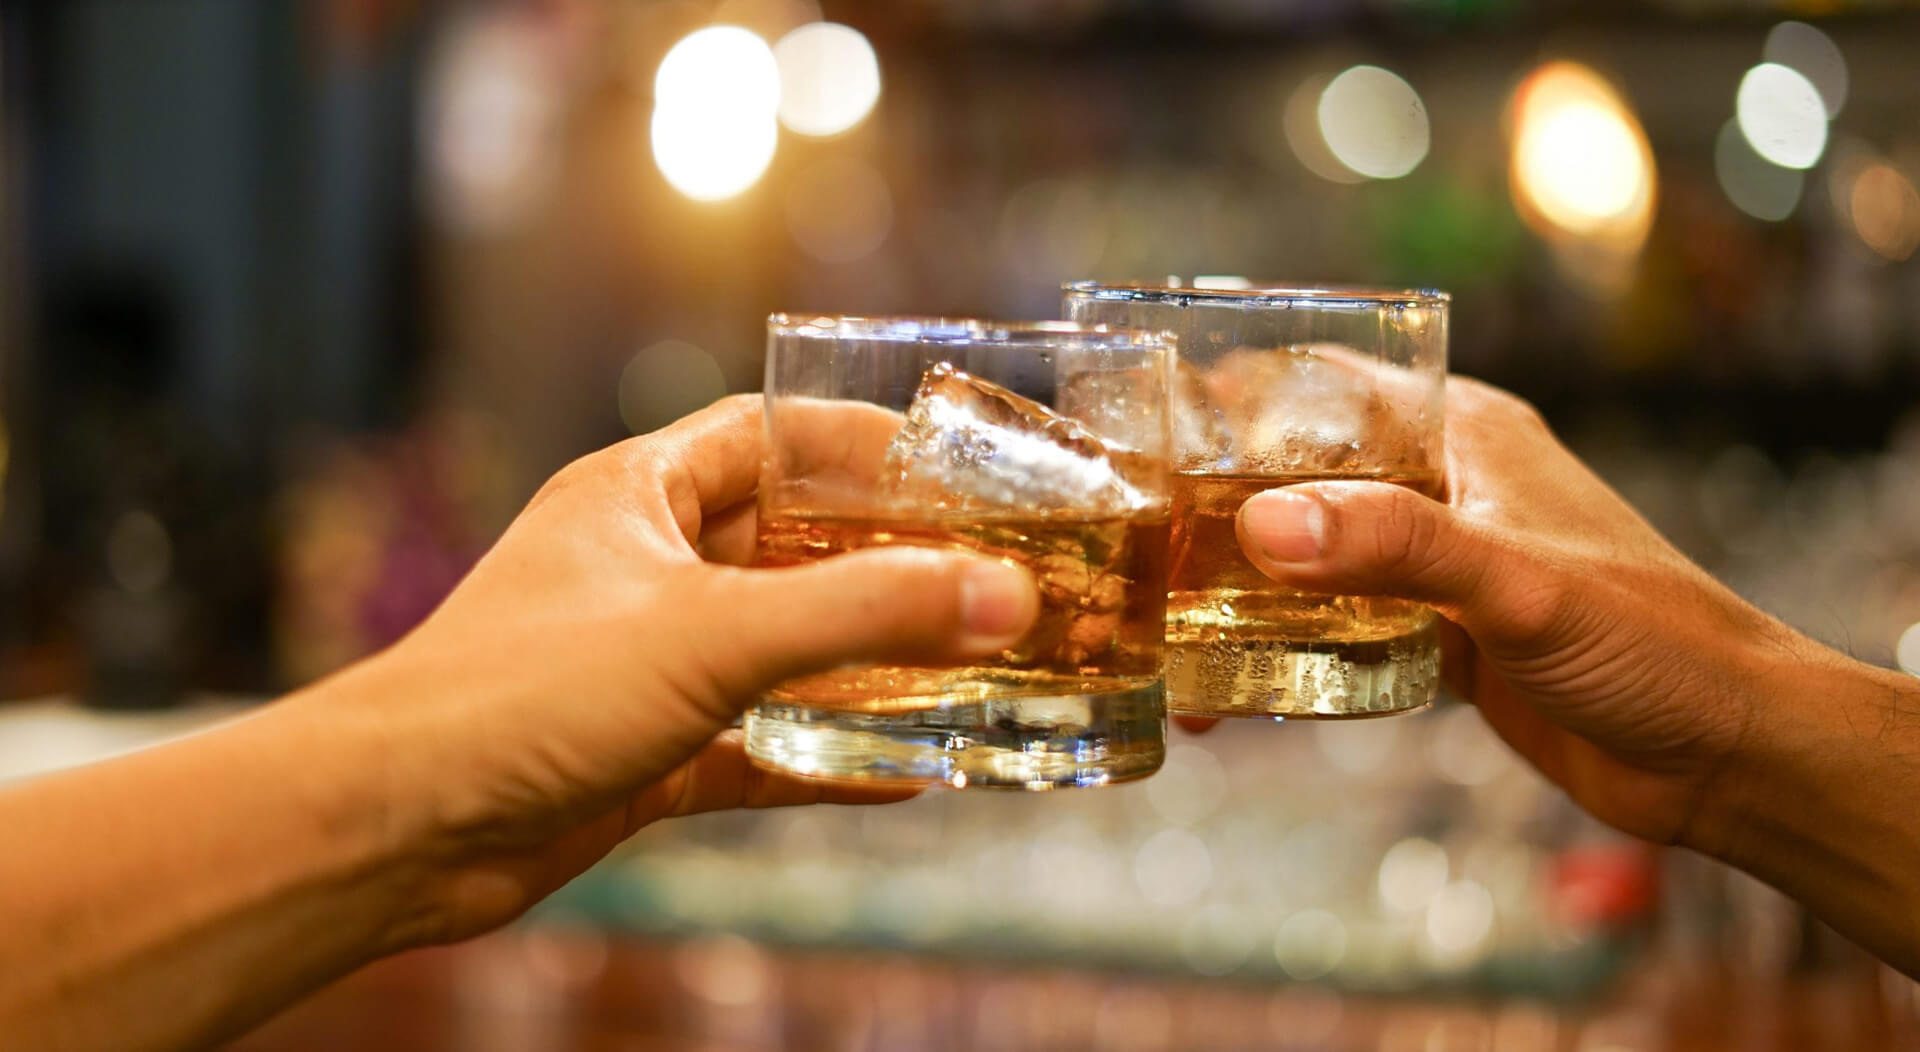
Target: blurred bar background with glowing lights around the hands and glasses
x=302, y=300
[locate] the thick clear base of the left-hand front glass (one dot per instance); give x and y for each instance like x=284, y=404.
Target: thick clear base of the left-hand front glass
x=996, y=744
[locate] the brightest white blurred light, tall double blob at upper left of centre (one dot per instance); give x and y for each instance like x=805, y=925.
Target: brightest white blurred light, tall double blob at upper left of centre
x=713, y=124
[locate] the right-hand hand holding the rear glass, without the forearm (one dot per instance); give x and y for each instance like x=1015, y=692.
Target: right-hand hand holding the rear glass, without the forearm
x=1593, y=646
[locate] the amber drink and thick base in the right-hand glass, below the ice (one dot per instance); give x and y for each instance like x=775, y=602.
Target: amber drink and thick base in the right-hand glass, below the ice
x=1243, y=646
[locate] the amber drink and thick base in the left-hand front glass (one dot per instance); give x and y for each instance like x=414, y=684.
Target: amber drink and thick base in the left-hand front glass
x=1076, y=704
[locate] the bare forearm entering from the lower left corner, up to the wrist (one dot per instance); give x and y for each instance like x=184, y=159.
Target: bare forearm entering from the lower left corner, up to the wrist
x=183, y=894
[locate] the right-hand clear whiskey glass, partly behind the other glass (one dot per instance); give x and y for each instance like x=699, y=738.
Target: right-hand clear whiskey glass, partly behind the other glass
x=1278, y=387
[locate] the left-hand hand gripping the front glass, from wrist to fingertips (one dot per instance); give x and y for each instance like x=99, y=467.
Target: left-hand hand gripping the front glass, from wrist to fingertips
x=573, y=688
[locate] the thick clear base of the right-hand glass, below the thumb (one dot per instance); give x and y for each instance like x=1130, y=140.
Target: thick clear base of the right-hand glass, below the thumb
x=1305, y=681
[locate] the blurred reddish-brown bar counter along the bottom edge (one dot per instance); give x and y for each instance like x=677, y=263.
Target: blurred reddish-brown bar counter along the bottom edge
x=579, y=992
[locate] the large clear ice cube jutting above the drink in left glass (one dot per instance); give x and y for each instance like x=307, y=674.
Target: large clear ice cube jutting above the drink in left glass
x=976, y=446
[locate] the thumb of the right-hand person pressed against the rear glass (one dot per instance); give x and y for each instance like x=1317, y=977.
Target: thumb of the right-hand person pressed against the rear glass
x=1368, y=538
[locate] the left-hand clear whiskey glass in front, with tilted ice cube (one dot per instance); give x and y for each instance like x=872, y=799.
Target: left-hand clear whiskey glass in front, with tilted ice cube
x=1042, y=444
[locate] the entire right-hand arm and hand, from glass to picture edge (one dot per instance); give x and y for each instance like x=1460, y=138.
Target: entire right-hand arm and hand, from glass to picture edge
x=1660, y=700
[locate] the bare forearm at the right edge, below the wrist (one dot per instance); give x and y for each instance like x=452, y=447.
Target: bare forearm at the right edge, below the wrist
x=1825, y=798
